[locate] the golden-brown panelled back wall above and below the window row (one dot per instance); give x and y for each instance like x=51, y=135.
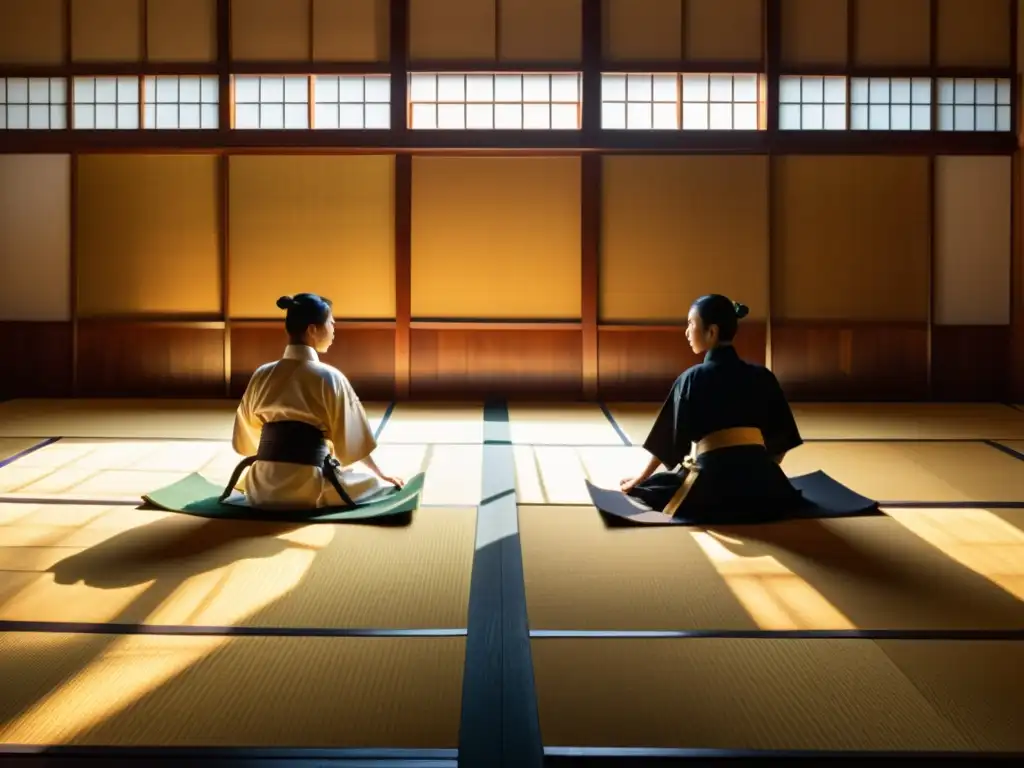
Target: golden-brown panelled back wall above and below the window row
x=869, y=276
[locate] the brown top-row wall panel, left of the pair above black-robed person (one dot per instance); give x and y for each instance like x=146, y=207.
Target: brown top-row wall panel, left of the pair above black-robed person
x=637, y=31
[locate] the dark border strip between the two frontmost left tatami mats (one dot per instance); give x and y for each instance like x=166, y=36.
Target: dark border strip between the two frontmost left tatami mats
x=92, y=628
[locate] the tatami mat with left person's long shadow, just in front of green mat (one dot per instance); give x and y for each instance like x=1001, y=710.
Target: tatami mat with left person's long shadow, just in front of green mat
x=88, y=564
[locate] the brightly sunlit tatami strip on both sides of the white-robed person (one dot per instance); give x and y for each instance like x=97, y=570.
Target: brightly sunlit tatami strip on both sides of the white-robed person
x=116, y=471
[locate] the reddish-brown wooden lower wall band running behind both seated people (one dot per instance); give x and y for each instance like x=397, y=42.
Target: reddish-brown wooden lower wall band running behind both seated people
x=815, y=361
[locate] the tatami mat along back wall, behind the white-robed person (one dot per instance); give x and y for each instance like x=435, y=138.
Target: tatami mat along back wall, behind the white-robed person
x=130, y=418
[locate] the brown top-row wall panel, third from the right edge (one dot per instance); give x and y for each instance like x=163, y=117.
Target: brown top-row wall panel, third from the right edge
x=815, y=32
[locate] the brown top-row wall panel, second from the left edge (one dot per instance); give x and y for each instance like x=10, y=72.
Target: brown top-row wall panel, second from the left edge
x=107, y=30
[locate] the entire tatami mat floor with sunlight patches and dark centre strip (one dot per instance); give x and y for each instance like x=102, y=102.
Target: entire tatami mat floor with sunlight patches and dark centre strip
x=507, y=613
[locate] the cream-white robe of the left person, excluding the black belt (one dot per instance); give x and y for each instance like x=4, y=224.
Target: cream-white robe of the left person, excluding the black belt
x=300, y=388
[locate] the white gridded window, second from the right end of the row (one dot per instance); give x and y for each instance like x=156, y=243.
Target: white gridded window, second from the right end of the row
x=891, y=104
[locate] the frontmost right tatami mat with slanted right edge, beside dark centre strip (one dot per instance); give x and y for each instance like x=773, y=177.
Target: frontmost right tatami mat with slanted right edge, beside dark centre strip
x=733, y=695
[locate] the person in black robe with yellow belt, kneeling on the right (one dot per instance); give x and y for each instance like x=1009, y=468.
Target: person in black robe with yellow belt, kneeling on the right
x=727, y=426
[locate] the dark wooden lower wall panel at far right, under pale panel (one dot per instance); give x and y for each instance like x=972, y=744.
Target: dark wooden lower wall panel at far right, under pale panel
x=970, y=363
